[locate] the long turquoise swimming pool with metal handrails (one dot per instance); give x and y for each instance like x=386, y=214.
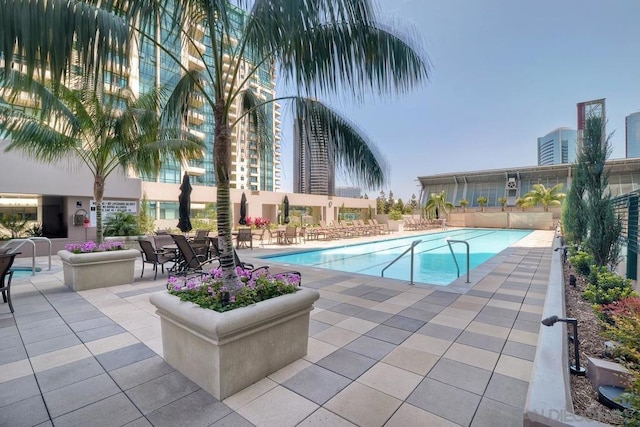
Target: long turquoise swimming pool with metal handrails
x=433, y=262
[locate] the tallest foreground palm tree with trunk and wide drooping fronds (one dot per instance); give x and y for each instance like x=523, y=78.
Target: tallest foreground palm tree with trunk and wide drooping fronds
x=320, y=48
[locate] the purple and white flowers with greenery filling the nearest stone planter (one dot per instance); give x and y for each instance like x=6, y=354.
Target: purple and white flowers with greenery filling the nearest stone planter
x=208, y=291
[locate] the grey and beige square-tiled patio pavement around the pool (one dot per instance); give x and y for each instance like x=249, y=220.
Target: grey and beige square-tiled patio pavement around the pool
x=381, y=352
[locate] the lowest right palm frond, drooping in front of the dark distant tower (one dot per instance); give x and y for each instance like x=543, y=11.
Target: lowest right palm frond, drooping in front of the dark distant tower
x=346, y=145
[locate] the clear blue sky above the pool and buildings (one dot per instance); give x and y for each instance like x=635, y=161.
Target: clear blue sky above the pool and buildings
x=503, y=73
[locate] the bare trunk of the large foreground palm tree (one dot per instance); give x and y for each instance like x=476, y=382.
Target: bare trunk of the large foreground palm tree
x=222, y=165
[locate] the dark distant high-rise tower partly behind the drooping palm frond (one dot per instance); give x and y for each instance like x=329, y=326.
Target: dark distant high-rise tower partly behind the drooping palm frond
x=313, y=165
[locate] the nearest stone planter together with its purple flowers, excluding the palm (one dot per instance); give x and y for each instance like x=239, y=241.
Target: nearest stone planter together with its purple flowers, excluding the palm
x=238, y=339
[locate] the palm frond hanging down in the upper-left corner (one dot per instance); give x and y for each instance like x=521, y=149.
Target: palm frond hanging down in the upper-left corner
x=43, y=34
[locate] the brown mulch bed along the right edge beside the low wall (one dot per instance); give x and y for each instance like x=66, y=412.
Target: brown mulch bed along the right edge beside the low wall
x=584, y=396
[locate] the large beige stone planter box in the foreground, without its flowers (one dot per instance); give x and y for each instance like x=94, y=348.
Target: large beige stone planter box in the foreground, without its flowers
x=225, y=352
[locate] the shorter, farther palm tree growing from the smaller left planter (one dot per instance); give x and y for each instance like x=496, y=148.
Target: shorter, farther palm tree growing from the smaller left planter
x=104, y=132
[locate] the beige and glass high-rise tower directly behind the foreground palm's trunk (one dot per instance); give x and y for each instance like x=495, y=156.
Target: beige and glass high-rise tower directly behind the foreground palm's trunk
x=255, y=166
